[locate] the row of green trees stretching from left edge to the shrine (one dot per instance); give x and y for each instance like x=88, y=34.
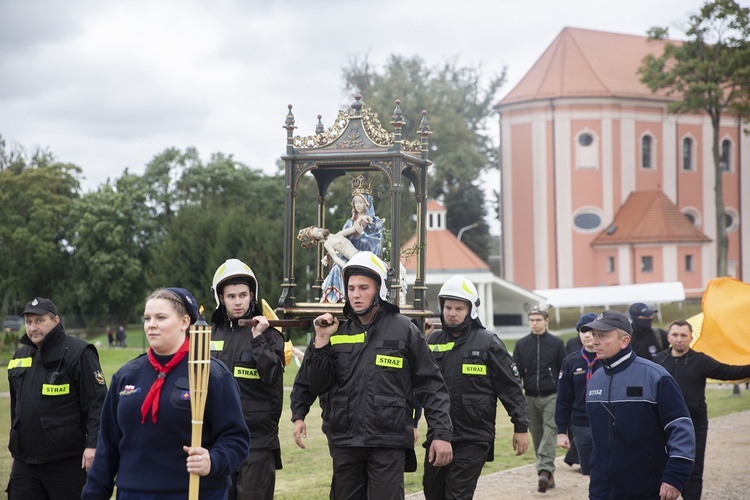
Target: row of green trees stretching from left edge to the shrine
x=99, y=253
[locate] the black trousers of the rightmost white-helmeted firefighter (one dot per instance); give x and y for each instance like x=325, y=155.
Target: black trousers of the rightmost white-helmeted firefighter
x=458, y=479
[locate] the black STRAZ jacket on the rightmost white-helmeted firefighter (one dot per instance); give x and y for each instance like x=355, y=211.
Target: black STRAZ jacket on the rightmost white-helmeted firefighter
x=478, y=371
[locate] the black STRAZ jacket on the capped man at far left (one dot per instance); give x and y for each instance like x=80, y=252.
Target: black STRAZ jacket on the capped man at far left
x=56, y=395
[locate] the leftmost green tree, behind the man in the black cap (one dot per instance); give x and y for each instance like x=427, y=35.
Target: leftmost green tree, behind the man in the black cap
x=36, y=194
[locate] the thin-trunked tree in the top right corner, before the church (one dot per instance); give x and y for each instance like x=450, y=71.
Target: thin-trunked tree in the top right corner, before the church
x=709, y=72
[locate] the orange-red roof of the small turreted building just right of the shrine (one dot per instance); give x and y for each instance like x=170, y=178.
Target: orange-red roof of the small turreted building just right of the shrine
x=444, y=253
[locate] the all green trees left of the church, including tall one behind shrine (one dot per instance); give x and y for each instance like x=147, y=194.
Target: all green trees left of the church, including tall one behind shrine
x=99, y=253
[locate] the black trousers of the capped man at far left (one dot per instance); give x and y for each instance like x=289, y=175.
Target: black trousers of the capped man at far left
x=59, y=480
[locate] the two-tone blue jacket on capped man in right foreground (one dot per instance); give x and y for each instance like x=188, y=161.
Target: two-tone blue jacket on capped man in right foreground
x=641, y=428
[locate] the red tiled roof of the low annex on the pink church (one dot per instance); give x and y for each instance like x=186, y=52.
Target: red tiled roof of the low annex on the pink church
x=649, y=217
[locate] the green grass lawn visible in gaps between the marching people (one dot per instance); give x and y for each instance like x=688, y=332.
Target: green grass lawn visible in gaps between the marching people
x=307, y=473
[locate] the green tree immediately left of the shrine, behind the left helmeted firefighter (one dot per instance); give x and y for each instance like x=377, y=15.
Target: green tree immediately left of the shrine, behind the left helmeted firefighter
x=220, y=210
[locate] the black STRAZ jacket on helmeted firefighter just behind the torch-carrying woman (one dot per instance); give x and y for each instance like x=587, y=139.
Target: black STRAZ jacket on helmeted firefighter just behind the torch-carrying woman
x=258, y=367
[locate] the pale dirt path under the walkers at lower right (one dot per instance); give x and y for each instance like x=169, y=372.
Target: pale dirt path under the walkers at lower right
x=725, y=476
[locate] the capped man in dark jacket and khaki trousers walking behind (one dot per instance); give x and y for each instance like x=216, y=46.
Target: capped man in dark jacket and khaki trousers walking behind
x=539, y=356
